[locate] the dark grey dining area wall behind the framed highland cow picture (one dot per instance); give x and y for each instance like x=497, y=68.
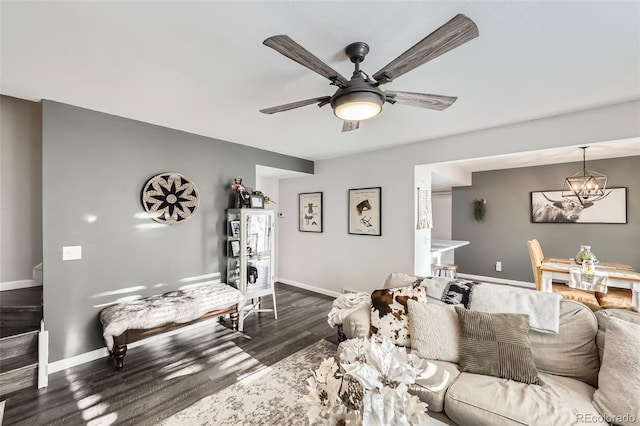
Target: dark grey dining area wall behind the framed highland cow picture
x=507, y=226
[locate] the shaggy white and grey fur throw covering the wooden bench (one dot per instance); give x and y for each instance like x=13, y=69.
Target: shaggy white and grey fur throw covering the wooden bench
x=175, y=306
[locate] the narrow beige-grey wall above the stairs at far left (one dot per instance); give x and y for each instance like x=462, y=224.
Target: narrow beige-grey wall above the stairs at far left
x=20, y=188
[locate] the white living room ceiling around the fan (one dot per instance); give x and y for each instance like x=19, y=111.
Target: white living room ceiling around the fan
x=201, y=66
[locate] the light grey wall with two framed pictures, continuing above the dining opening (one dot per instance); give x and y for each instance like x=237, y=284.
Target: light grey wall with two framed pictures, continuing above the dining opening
x=334, y=259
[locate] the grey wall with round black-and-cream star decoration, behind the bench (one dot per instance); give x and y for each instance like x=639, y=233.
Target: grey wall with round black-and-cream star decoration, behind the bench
x=94, y=166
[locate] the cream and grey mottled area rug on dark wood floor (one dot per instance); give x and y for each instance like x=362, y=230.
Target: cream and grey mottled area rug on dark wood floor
x=271, y=396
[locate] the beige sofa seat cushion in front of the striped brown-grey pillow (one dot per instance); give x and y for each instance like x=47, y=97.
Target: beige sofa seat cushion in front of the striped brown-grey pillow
x=477, y=400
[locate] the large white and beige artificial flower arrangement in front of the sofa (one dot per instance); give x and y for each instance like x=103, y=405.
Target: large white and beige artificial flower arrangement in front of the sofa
x=372, y=390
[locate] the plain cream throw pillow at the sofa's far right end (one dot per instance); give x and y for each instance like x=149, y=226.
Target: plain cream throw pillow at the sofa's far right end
x=617, y=397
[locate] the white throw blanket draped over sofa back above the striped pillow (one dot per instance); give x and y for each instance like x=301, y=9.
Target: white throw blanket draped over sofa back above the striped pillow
x=543, y=308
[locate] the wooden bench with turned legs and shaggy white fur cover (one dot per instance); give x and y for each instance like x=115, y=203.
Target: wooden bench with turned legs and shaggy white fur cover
x=126, y=323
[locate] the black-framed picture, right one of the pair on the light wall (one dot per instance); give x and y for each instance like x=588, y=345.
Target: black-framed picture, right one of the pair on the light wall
x=365, y=211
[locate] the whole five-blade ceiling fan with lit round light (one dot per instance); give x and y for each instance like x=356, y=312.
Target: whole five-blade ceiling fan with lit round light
x=360, y=97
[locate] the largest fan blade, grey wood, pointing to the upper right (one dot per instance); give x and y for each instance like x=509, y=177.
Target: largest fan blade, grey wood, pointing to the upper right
x=454, y=33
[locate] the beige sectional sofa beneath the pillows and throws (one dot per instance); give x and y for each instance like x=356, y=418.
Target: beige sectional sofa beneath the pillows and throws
x=568, y=364
